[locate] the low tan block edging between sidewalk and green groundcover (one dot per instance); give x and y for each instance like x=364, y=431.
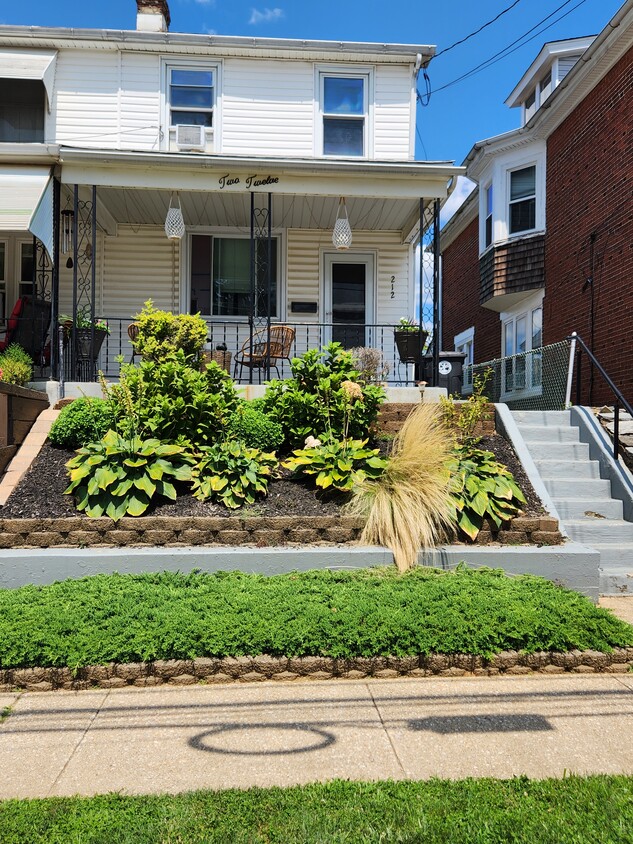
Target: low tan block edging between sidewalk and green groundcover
x=245, y=669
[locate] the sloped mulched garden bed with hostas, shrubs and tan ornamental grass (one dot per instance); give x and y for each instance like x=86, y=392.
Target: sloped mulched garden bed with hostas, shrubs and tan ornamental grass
x=173, y=438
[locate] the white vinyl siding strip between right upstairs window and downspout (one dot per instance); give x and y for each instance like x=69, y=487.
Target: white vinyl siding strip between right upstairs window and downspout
x=392, y=112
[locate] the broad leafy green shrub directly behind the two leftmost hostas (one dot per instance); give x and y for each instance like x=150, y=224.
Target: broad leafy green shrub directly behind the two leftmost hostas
x=173, y=401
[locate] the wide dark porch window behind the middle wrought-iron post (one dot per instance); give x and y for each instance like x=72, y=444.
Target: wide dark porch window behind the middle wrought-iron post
x=221, y=276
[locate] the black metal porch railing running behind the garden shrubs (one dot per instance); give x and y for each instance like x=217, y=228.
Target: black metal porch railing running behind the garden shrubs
x=235, y=334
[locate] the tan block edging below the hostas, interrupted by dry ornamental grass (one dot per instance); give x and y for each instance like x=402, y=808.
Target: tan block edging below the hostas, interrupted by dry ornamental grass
x=260, y=531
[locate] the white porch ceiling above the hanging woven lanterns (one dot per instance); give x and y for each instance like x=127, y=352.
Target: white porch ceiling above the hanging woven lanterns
x=149, y=207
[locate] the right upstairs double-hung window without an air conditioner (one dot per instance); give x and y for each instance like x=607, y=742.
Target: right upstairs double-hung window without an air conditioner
x=344, y=111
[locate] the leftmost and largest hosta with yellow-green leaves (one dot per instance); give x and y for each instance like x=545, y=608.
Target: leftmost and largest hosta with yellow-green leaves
x=119, y=477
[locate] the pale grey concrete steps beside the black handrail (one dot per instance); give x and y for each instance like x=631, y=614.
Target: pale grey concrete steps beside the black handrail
x=583, y=499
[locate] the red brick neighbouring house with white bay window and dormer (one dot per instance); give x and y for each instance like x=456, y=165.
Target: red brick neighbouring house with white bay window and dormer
x=544, y=244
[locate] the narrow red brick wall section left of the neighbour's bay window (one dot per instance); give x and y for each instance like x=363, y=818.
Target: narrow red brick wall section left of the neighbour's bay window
x=460, y=297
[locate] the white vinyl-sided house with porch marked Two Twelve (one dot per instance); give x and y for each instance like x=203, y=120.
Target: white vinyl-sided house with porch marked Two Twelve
x=260, y=143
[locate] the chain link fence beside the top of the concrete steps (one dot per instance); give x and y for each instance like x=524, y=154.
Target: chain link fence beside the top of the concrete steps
x=535, y=380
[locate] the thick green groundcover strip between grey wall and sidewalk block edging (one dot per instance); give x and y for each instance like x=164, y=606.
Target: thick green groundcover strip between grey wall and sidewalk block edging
x=373, y=612
